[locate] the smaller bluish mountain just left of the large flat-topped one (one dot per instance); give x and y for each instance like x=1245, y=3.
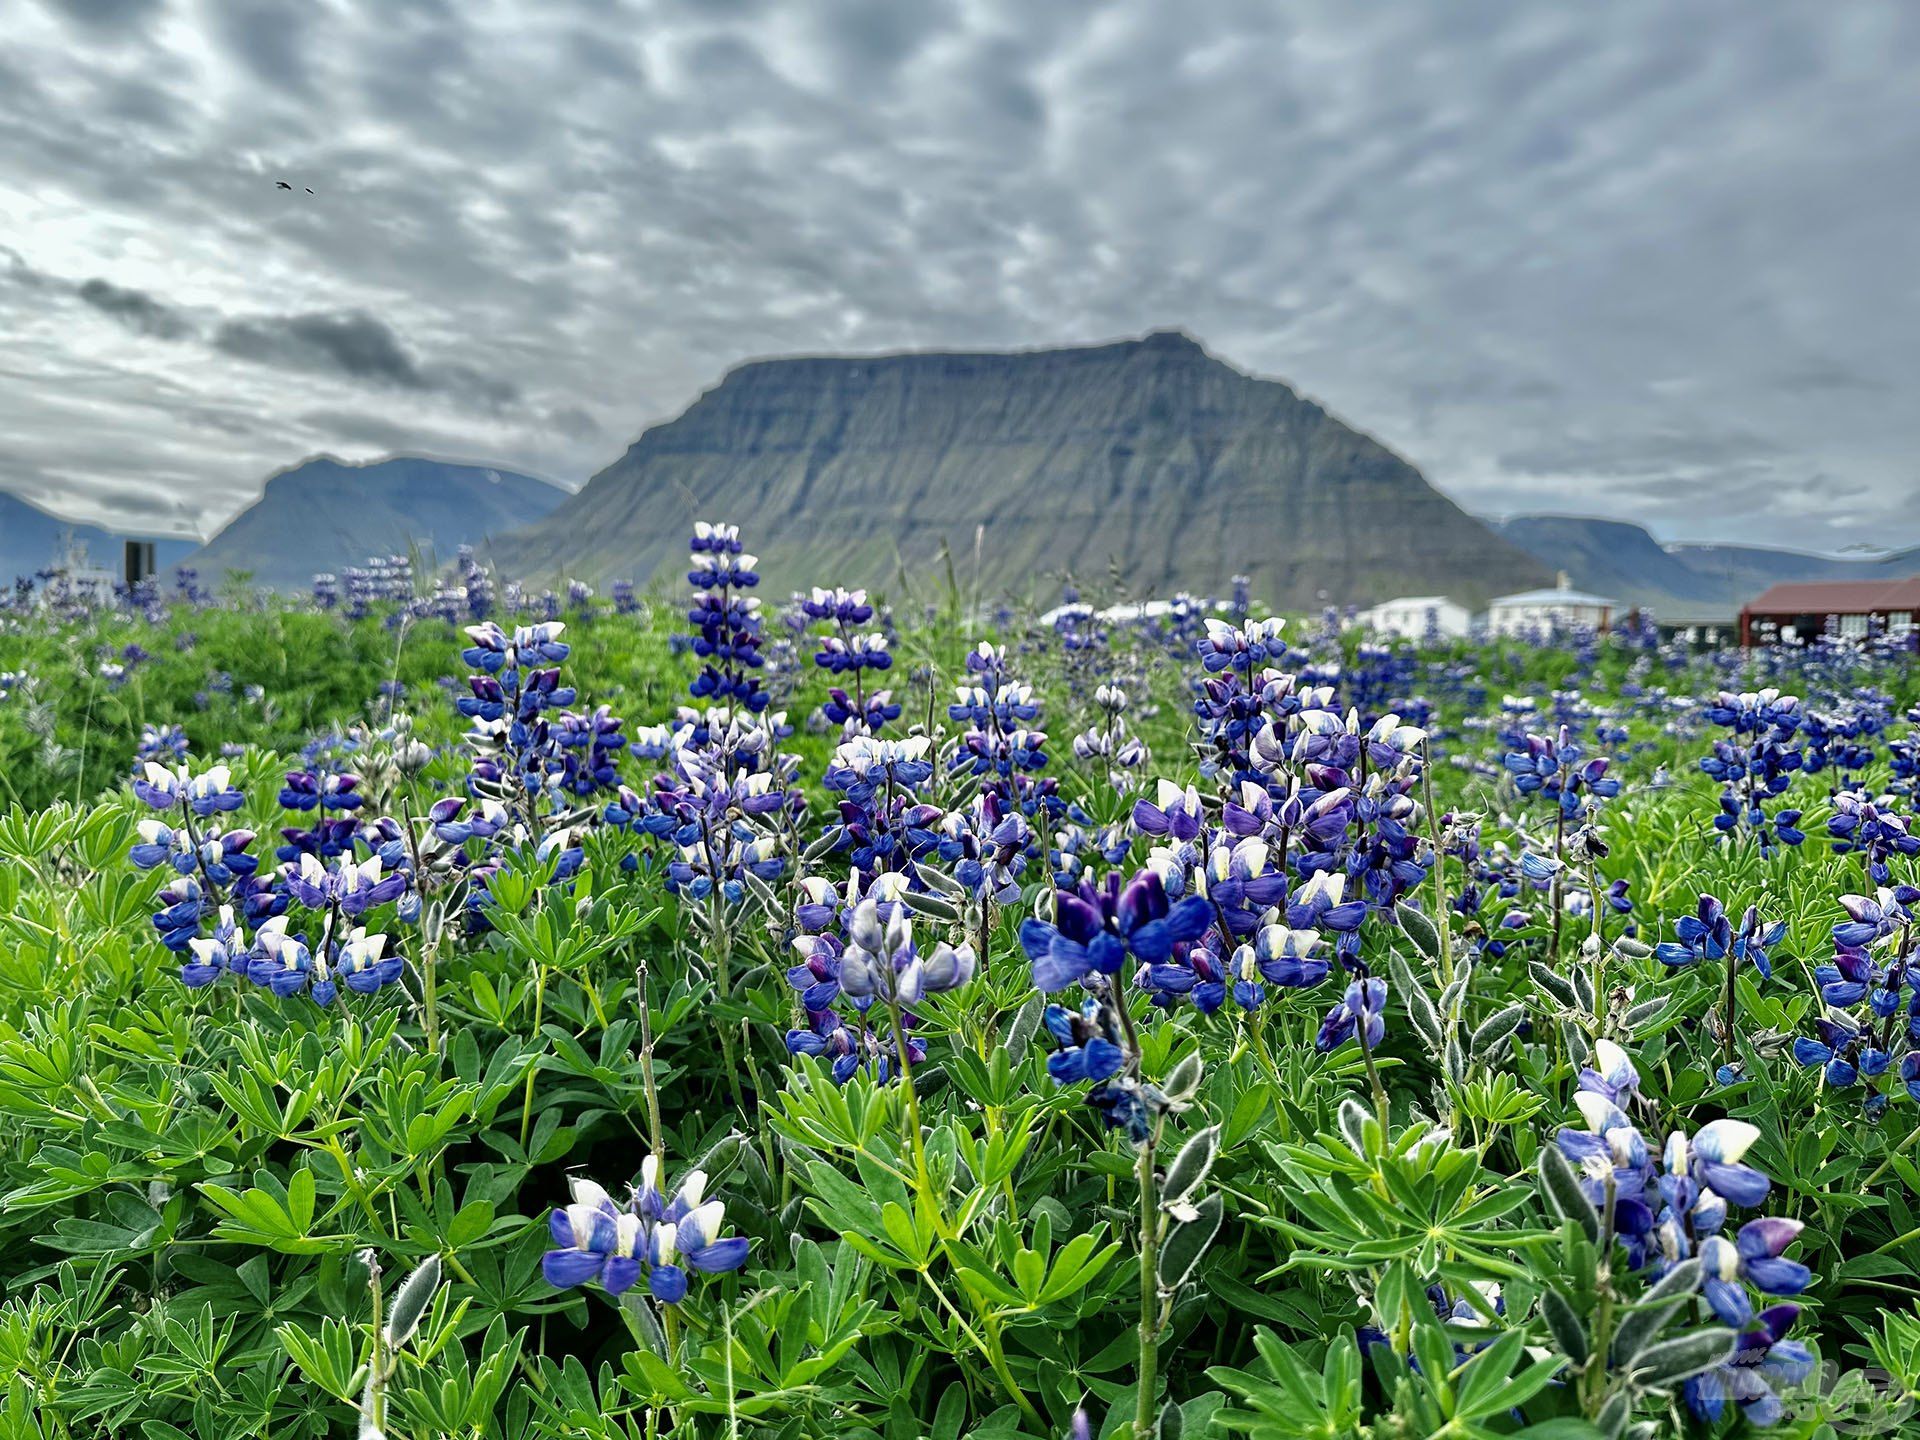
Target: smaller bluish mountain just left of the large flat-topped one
x=327, y=516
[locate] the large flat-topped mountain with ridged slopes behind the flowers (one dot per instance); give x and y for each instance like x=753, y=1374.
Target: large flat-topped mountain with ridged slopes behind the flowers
x=1147, y=456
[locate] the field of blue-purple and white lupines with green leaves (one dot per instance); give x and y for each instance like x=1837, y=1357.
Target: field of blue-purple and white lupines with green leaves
x=483, y=1015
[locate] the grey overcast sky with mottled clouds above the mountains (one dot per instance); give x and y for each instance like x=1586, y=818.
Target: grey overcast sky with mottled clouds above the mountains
x=1648, y=258
